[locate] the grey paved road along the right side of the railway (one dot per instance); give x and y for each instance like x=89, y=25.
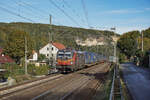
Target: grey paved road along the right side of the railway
x=138, y=81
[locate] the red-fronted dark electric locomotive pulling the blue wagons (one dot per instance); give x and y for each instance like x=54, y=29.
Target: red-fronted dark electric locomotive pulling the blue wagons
x=70, y=60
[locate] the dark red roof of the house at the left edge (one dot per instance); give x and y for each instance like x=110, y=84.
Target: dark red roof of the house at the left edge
x=5, y=58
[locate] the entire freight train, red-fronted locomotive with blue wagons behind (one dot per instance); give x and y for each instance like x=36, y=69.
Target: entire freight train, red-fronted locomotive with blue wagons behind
x=71, y=60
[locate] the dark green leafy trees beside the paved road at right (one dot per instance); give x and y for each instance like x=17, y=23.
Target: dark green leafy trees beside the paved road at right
x=130, y=45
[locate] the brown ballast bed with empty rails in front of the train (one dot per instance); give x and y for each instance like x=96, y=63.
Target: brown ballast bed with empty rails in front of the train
x=61, y=88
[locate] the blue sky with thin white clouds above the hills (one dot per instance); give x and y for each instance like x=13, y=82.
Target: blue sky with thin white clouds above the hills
x=124, y=15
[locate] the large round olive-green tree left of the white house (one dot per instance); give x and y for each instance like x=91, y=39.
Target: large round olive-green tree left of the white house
x=15, y=45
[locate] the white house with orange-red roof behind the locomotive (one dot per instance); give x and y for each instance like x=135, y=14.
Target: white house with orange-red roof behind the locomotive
x=50, y=50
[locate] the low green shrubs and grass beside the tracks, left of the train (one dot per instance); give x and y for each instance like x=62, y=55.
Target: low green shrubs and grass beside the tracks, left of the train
x=18, y=72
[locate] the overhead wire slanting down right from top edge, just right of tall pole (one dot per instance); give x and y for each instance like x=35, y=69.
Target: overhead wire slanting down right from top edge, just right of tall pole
x=66, y=14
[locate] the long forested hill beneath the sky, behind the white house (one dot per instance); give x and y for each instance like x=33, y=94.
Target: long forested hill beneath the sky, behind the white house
x=62, y=34
